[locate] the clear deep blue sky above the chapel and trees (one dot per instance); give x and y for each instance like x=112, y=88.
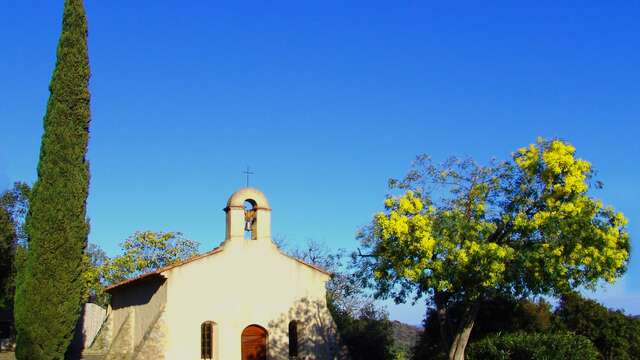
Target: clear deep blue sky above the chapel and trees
x=325, y=101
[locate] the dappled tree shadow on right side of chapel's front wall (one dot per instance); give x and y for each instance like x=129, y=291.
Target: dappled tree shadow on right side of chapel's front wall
x=317, y=336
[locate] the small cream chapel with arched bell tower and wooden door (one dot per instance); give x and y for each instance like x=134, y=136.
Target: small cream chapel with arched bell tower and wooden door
x=244, y=300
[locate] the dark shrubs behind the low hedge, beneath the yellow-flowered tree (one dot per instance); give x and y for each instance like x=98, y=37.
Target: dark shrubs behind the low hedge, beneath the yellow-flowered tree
x=614, y=334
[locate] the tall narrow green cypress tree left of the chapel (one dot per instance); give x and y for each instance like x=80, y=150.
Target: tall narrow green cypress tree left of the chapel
x=49, y=295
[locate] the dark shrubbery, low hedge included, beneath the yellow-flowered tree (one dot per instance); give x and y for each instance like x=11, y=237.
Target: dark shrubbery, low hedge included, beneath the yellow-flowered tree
x=612, y=333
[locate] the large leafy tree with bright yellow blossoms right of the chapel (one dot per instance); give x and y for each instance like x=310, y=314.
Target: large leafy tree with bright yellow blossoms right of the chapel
x=461, y=232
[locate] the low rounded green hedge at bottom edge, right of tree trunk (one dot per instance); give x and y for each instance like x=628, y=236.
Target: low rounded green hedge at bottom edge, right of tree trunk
x=533, y=346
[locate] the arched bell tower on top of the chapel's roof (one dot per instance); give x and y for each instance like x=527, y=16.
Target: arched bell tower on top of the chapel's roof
x=248, y=216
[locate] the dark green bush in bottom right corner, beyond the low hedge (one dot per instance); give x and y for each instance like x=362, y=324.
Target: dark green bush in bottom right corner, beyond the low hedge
x=616, y=335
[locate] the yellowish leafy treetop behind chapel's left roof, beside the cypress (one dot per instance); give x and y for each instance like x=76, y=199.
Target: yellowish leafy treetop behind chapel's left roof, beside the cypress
x=147, y=251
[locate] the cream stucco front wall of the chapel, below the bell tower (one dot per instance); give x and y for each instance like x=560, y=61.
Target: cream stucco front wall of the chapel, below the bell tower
x=249, y=282
